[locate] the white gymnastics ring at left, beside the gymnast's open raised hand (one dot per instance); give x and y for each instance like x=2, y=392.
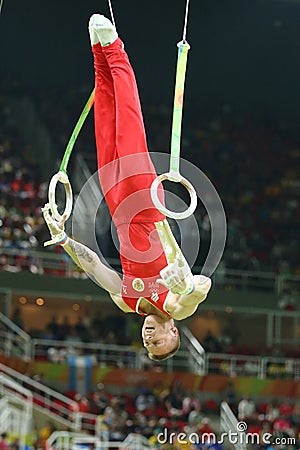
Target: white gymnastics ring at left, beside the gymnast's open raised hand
x=63, y=178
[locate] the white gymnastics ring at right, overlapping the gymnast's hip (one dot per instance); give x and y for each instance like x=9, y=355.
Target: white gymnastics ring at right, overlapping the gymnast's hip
x=178, y=179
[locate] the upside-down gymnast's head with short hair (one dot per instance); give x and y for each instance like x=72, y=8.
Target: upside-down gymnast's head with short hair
x=160, y=337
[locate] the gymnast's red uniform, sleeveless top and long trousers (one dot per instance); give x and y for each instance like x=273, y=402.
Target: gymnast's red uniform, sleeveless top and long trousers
x=126, y=173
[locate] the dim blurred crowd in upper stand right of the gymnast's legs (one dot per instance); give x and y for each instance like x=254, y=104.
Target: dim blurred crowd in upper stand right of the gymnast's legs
x=253, y=162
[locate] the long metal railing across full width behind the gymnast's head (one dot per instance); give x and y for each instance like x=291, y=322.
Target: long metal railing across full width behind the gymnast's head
x=192, y=357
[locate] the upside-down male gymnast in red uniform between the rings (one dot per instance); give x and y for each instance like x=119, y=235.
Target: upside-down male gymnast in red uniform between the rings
x=152, y=285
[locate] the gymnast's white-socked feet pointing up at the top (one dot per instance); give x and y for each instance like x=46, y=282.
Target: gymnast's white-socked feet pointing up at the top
x=101, y=30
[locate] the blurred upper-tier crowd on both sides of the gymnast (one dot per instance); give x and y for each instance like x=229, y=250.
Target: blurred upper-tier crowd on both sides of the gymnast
x=252, y=162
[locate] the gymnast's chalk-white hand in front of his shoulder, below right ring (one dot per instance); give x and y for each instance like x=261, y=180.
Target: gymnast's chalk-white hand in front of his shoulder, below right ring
x=177, y=277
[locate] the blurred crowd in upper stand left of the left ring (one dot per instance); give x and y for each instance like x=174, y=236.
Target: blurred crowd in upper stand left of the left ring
x=22, y=193
